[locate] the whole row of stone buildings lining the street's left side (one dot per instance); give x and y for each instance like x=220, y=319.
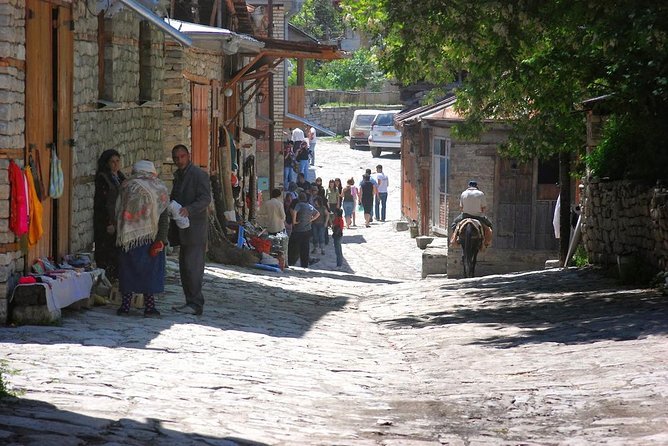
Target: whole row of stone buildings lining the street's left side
x=75, y=81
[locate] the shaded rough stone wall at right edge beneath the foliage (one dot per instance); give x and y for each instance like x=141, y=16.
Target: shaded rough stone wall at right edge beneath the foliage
x=625, y=218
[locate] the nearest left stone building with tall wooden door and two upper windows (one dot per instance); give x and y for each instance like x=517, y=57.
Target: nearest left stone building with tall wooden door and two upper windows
x=73, y=83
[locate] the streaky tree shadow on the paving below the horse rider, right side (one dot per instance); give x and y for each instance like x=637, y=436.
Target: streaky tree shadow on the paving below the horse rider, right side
x=550, y=306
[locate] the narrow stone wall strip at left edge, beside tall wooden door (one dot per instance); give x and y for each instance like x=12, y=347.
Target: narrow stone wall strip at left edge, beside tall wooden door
x=12, y=135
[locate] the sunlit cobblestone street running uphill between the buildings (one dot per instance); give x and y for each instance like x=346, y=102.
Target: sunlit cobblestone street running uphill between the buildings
x=369, y=355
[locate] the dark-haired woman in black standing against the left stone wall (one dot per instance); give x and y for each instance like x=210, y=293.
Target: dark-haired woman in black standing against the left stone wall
x=108, y=179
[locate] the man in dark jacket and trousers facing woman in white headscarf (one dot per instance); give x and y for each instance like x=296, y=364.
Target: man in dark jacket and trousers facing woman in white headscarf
x=192, y=190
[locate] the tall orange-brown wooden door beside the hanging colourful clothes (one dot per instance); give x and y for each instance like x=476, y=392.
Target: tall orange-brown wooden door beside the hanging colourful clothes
x=49, y=47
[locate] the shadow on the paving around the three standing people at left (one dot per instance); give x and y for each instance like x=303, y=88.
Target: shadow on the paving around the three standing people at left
x=234, y=302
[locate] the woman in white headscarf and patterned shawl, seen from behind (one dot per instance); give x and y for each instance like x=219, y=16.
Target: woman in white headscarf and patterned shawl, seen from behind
x=142, y=221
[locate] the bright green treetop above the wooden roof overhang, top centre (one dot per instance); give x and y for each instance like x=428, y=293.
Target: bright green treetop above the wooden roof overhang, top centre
x=321, y=19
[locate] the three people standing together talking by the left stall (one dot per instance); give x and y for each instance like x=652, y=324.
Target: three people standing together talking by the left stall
x=132, y=227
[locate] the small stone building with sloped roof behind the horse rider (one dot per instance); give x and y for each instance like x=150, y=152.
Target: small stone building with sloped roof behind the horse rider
x=436, y=168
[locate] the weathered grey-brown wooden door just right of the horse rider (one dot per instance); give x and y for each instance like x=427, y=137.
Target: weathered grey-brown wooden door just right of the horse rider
x=513, y=218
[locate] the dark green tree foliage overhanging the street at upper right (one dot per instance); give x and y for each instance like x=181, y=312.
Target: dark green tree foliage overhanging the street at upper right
x=530, y=62
